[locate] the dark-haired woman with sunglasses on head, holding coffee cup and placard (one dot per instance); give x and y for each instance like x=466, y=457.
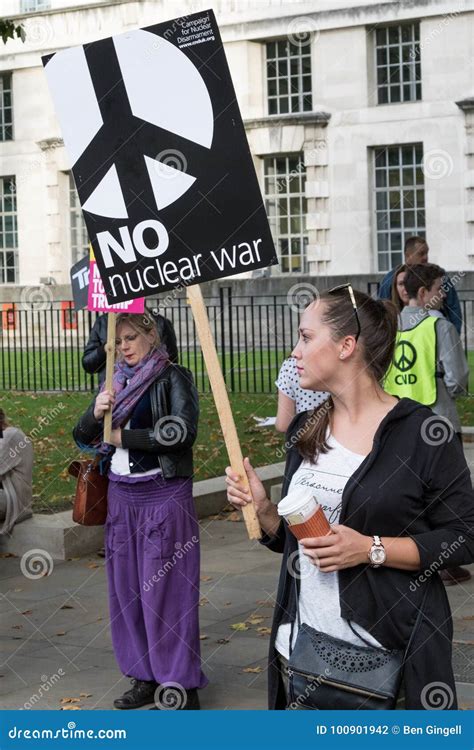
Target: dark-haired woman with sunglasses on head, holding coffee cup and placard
x=396, y=492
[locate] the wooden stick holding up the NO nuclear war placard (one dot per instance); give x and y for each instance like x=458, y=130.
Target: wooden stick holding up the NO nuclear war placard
x=221, y=398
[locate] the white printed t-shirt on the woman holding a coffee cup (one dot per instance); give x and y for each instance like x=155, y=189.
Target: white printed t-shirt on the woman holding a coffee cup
x=319, y=592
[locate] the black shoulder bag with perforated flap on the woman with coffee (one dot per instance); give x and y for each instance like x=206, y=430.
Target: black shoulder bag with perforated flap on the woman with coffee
x=328, y=673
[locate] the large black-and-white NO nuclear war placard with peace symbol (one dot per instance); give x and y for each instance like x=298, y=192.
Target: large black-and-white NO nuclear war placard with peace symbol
x=160, y=158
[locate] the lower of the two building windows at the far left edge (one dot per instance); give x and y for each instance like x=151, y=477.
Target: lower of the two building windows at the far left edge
x=8, y=231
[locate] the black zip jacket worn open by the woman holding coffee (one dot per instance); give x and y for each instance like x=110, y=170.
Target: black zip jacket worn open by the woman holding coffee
x=414, y=483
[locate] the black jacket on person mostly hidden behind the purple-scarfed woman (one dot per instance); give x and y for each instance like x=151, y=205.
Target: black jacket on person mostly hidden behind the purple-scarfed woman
x=93, y=359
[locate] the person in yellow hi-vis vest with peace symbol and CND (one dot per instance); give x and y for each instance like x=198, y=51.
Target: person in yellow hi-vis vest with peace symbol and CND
x=429, y=364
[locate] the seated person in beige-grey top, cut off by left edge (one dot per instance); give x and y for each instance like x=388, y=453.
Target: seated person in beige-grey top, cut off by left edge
x=16, y=470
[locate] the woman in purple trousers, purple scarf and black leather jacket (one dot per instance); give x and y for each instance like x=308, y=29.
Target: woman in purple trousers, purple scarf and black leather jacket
x=152, y=533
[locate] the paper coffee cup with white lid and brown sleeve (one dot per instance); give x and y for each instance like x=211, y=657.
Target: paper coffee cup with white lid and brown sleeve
x=304, y=515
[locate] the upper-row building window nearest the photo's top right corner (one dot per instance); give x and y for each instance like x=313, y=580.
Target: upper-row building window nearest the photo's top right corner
x=397, y=55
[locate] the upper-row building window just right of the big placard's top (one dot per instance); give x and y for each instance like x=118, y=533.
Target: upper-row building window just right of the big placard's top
x=288, y=77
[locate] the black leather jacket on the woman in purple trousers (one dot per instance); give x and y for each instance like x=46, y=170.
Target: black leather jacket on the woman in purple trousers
x=163, y=426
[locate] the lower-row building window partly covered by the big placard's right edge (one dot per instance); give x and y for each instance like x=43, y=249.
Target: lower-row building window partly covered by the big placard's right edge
x=285, y=178
